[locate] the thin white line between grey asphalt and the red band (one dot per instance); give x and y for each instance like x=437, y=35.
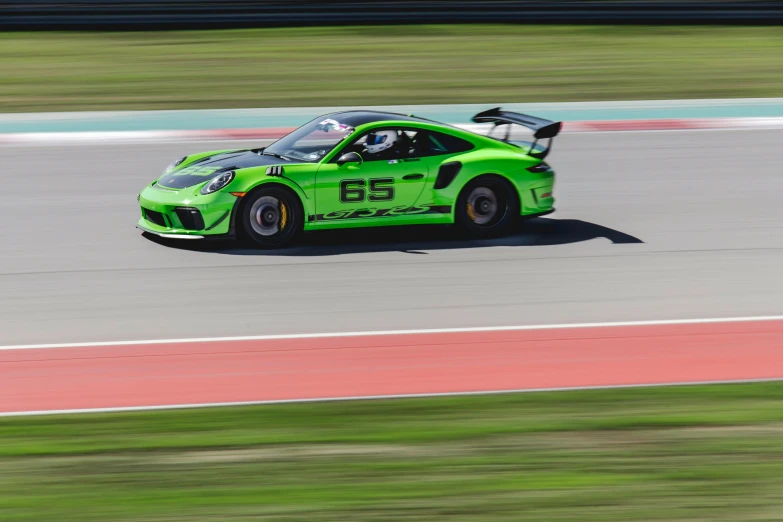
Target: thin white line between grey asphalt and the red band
x=377, y=333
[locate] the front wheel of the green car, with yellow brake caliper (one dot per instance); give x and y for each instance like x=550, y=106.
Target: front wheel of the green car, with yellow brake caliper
x=272, y=216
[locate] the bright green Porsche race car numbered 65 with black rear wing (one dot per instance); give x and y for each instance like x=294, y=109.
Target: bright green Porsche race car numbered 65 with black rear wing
x=357, y=169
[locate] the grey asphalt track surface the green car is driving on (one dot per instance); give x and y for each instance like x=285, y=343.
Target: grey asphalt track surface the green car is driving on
x=650, y=225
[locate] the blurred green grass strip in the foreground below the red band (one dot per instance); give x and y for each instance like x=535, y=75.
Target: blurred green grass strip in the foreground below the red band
x=673, y=454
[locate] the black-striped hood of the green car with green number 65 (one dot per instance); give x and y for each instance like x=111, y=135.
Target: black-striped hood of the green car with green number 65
x=205, y=169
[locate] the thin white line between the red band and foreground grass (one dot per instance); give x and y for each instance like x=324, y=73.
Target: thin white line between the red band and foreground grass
x=374, y=397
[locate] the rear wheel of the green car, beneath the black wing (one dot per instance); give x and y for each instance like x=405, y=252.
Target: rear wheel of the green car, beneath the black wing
x=487, y=206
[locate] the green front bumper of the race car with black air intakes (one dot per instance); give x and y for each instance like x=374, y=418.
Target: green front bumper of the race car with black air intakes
x=185, y=214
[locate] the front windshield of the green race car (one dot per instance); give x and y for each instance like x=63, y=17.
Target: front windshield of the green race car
x=312, y=141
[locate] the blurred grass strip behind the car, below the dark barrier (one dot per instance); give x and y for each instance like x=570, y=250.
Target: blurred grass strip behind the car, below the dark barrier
x=384, y=65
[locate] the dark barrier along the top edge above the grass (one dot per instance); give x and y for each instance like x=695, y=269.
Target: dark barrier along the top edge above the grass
x=193, y=14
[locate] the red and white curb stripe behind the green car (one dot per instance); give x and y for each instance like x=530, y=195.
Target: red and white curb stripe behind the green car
x=159, y=136
